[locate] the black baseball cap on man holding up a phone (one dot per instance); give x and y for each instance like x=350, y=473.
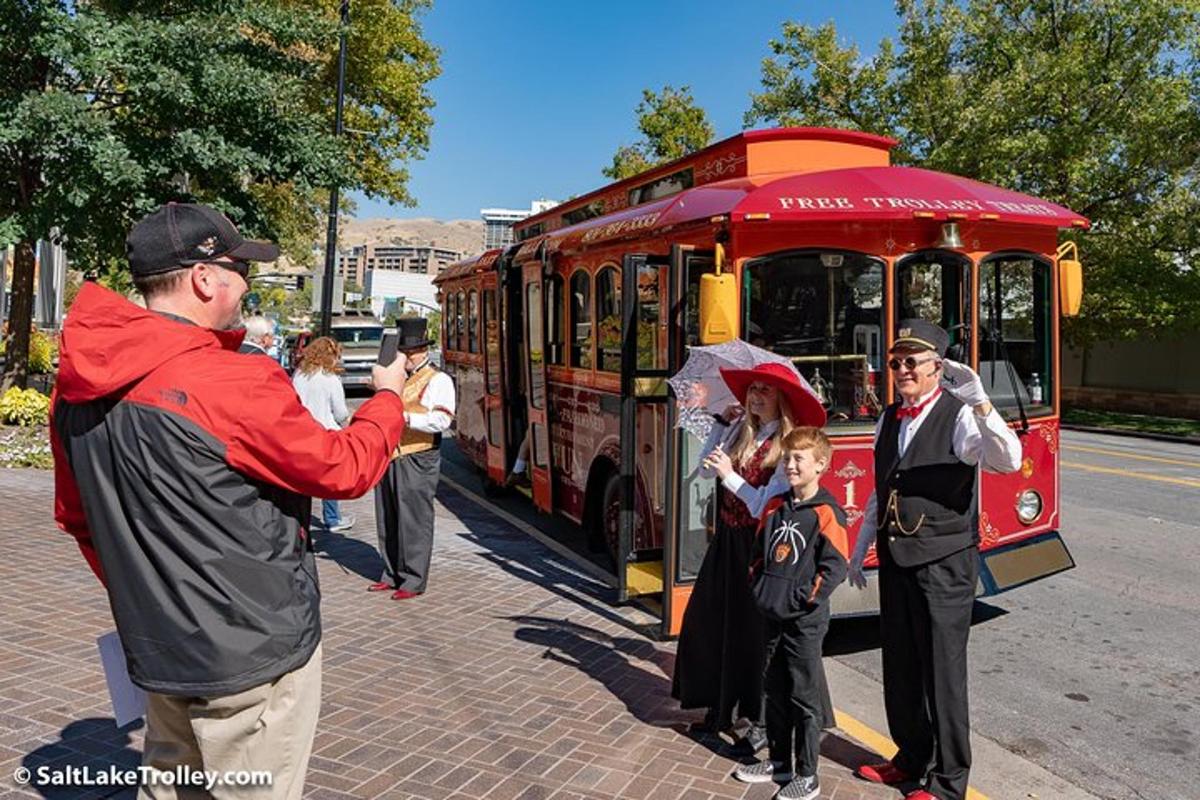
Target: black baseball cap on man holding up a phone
x=182, y=234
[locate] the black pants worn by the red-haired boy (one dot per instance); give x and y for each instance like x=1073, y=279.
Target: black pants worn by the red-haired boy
x=796, y=690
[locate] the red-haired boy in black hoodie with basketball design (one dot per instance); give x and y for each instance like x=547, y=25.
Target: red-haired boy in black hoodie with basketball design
x=803, y=558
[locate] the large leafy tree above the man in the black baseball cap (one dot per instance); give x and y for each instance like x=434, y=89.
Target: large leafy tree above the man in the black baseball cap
x=113, y=107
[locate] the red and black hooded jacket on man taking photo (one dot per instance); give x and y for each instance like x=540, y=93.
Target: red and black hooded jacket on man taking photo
x=184, y=471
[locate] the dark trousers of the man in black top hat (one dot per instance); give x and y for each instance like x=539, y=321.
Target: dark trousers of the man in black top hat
x=405, y=519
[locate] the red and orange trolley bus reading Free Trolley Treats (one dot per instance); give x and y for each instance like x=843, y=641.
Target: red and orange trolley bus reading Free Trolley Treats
x=568, y=336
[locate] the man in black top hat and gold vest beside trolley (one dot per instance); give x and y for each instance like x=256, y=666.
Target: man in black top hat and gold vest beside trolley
x=405, y=497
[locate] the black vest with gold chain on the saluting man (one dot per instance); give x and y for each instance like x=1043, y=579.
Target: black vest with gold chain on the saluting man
x=927, y=500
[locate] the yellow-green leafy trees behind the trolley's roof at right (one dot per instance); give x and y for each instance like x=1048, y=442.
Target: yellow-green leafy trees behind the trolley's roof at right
x=1094, y=105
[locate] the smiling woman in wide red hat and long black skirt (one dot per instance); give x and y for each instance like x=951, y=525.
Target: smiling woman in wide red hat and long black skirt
x=719, y=663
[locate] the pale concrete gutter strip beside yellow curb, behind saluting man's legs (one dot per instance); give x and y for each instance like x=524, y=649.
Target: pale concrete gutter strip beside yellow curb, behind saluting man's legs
x=997, y=773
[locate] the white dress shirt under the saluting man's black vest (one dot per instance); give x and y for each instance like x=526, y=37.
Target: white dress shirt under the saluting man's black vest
x=986, y=442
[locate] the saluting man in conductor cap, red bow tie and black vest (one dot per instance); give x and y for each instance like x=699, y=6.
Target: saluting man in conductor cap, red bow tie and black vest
x=923, y=518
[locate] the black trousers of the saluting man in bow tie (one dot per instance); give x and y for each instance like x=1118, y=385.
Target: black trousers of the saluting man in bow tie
x=926, y=618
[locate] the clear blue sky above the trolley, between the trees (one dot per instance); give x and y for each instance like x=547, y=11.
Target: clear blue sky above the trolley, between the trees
x=536, y=98
